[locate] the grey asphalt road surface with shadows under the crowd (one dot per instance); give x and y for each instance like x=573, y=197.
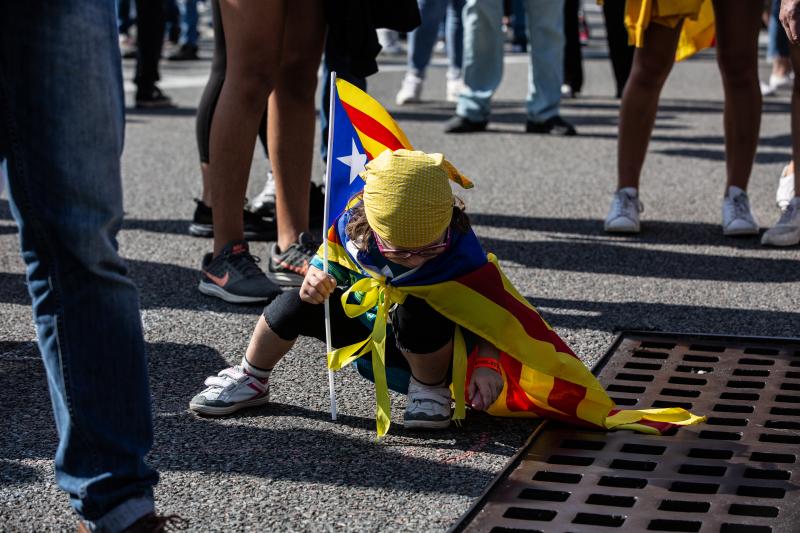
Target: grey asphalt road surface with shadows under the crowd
x=538, y=203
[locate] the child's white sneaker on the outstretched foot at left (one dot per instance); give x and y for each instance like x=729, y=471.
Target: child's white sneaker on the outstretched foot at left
x=230, y=390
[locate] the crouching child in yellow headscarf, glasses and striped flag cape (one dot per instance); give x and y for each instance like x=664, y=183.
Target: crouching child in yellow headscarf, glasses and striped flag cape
x=410, y=285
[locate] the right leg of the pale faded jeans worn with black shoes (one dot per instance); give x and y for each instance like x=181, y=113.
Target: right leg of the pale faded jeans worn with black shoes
x=546, y=69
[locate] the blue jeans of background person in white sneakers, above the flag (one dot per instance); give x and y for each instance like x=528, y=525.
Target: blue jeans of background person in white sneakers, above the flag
x=423, y=38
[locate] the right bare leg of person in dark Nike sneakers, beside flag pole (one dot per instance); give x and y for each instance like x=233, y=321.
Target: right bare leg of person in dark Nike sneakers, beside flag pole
x=292, y=116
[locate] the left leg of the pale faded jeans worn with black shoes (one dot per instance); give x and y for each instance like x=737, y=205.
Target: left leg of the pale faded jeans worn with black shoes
x=483, y=58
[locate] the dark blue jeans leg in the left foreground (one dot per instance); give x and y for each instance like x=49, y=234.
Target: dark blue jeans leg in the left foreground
x=61, y=135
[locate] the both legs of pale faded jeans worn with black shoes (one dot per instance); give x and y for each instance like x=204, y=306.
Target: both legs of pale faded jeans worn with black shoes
x=483, y=58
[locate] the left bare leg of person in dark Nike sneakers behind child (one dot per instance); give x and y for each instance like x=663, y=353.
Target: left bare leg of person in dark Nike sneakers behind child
x=254, y=34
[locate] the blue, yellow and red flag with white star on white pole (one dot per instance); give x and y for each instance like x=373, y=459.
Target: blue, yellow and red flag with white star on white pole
x=361, y=130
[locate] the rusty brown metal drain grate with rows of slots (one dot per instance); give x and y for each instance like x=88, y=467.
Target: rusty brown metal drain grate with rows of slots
x=736, y=473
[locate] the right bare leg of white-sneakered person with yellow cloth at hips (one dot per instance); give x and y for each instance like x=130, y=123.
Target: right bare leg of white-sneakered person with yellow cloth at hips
x=738, y=24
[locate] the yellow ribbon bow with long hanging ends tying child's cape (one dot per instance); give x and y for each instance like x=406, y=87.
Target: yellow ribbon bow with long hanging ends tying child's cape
x=377, y=293
